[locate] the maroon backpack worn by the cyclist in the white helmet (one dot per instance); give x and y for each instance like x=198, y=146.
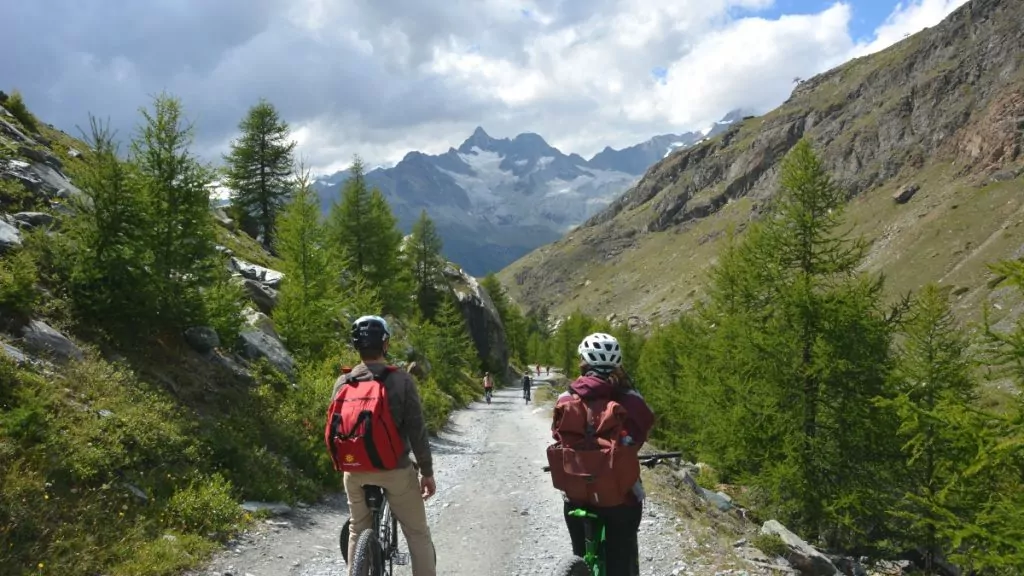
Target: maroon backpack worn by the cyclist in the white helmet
x=588, y=462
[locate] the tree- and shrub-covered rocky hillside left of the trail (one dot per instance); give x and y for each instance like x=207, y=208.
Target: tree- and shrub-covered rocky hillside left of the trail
x=157, y=369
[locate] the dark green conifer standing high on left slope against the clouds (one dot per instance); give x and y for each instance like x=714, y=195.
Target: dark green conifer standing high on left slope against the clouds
x=260, y=167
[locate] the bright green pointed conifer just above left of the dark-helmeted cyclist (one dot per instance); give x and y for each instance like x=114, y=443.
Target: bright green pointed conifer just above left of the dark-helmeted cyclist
x=311, y=297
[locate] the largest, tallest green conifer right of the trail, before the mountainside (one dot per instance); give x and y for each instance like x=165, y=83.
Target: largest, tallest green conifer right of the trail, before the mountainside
x=800, y=351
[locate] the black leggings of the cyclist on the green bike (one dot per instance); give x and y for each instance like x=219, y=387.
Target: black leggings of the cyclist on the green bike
x=622, y=552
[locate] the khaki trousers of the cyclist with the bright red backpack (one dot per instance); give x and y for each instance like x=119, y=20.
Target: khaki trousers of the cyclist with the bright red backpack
x=402, y=488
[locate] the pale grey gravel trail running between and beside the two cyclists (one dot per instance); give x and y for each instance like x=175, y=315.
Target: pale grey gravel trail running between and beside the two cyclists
x=495, y=512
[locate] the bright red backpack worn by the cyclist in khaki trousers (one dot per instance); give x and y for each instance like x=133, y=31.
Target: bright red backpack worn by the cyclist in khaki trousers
x=361, y=433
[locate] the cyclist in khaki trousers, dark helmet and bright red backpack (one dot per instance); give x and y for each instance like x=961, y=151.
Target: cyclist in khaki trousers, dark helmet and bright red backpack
x=374, y=423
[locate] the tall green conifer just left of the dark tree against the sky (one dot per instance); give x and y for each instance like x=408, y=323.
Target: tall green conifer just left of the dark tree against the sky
x=177, y=186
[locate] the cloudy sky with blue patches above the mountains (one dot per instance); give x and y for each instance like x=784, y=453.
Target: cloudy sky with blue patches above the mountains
x=383, y=77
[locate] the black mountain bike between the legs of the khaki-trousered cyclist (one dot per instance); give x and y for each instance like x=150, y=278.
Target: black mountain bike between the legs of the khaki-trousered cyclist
x=377, y=550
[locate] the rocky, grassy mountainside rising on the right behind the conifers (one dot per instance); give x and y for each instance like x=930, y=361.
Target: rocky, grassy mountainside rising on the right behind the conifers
x=936, y=120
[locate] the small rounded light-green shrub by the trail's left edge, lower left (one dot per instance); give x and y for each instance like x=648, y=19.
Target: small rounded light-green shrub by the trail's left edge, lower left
x=205, y=507
